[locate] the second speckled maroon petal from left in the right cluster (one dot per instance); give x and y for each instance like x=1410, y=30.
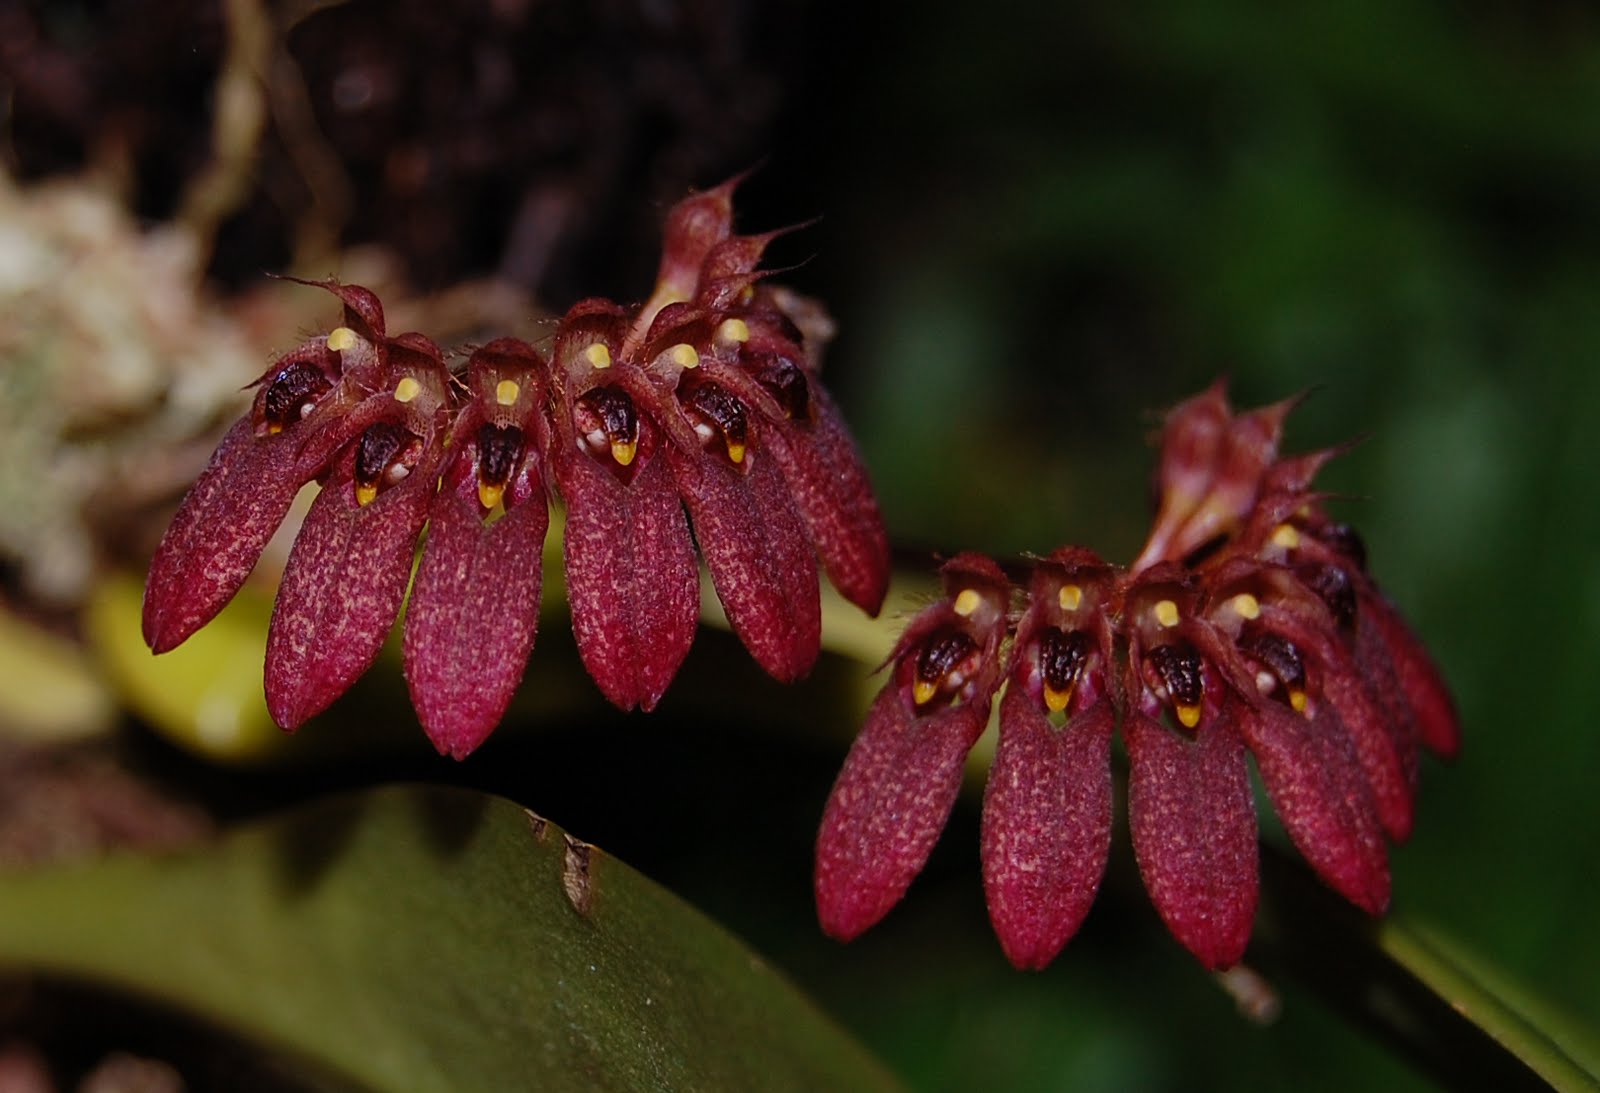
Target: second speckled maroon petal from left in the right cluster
x=1047, y=825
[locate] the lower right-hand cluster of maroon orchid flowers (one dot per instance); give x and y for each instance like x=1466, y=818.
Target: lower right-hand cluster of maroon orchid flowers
x=1249, y=625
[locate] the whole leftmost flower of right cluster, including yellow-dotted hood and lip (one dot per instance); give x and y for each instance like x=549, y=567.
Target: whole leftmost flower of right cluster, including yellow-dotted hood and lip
x=900, y=780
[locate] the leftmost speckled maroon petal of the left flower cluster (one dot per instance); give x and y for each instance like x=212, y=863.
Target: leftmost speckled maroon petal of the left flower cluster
x=218, y=535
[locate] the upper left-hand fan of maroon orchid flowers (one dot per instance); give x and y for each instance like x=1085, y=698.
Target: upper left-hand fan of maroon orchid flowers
x=700, y=407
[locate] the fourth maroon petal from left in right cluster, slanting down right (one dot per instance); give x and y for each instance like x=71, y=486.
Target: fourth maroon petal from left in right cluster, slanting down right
x=1319, y=791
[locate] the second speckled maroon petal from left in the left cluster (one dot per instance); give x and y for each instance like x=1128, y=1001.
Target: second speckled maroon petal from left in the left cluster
x=346, y=579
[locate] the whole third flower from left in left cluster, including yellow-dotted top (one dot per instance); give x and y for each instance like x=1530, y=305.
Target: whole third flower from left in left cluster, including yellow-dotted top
x=474, y=607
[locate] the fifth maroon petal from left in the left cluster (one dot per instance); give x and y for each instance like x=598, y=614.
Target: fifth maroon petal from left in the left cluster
x=754, y=543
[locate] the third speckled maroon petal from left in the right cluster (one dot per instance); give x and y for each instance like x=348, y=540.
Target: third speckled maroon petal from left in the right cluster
x=1194, y=833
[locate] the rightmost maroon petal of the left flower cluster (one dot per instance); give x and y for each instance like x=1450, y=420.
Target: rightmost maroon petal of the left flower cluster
x=833, y=494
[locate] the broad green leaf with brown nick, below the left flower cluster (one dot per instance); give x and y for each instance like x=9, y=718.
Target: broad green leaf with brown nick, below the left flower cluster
x=434, y=940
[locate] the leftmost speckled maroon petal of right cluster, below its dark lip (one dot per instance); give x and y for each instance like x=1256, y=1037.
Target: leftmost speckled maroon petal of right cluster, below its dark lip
x=889, y=807
